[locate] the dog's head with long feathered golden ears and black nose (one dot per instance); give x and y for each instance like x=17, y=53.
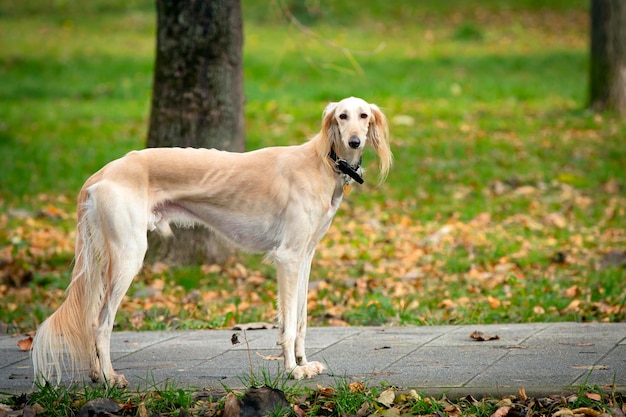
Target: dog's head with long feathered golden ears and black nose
x=350, y=125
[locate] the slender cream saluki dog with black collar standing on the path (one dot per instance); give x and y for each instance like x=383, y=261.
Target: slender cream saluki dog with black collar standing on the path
x=277, y=200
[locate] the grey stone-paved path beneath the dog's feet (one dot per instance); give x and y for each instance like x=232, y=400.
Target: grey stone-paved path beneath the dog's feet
x=542, y=358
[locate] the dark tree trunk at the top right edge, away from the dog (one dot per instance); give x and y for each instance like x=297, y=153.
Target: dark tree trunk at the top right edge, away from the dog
x=608, y=56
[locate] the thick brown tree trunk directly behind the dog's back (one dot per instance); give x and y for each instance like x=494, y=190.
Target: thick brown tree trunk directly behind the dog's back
x=197, y=100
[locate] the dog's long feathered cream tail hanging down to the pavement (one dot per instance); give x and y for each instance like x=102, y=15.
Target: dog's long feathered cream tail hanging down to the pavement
x=70, y=329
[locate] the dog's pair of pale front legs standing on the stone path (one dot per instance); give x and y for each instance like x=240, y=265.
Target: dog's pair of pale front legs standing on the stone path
x=293, y=274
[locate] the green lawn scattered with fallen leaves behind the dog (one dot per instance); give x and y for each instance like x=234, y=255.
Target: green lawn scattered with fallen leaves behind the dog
x=505, y=204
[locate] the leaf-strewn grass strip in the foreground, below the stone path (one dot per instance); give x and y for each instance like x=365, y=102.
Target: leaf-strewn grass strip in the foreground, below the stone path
x=338, y=399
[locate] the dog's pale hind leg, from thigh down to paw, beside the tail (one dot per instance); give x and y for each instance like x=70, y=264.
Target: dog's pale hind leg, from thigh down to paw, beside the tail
x=123, y=222
